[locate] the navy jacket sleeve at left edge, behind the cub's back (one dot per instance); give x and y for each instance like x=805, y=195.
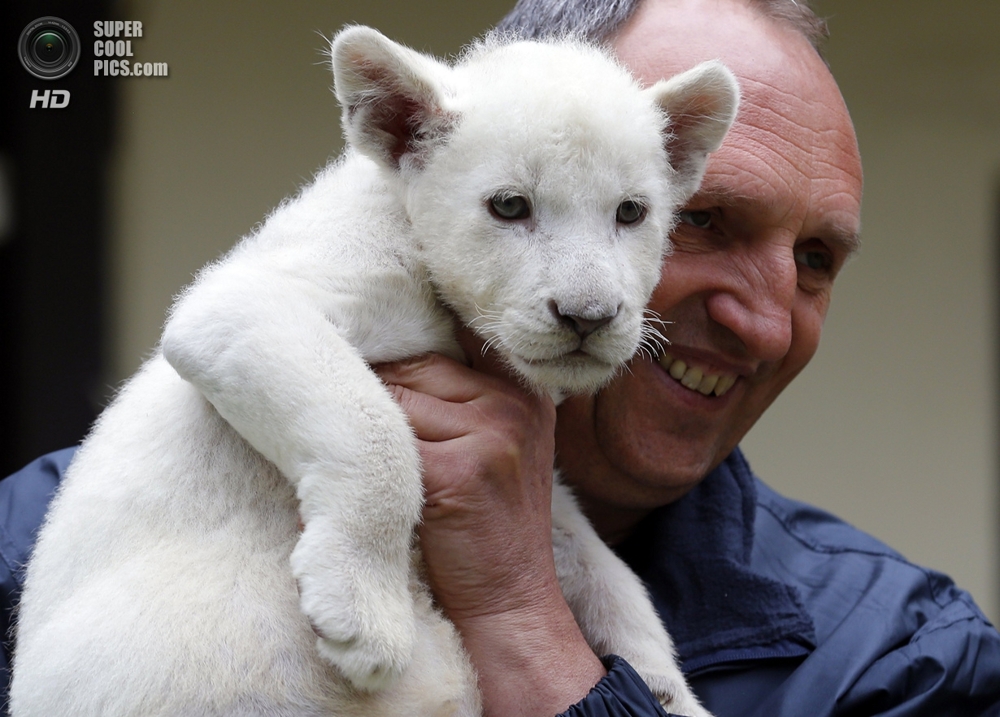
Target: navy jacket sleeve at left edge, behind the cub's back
x=24, y=500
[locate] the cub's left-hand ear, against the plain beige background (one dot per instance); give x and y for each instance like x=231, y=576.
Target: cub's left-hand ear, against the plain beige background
x=392, y=97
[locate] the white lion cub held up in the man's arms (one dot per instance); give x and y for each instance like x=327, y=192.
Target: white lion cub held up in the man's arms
x=529, y=189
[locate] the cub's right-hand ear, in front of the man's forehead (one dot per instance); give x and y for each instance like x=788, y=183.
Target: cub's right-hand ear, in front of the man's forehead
x=701, y=105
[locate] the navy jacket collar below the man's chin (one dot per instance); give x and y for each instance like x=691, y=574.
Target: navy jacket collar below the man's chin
x=694, y=556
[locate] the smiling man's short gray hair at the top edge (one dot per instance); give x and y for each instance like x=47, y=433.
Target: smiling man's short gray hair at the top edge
x=598, y=20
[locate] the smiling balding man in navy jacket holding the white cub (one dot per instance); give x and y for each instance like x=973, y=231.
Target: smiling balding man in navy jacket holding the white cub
x=776, y=609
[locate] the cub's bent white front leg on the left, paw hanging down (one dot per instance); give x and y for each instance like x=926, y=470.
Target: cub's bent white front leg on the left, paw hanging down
x=298, y=392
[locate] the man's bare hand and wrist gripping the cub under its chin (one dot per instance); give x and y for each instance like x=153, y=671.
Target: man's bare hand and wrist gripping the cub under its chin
x=487, y=449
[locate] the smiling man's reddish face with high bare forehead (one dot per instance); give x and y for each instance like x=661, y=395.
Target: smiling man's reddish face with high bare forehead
x=756, y=252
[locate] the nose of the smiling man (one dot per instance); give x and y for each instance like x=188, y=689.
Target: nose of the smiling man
x=757, y=304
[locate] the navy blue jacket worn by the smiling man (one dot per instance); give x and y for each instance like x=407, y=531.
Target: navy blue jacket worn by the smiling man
x=776, y=608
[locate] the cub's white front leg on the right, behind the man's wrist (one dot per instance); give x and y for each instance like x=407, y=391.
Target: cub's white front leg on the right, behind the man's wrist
x=612, y=607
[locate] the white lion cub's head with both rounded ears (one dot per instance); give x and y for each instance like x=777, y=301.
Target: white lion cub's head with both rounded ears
x=541, y=182
